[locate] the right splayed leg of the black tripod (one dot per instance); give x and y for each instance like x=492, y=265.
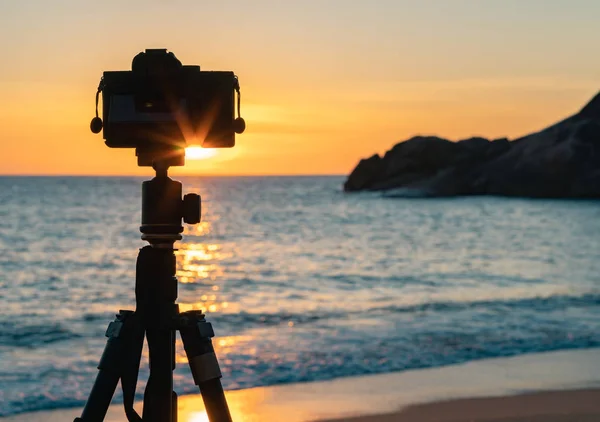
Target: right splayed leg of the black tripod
x=196, y=334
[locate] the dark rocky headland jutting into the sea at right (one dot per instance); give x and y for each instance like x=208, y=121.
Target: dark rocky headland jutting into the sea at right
x=561, y=161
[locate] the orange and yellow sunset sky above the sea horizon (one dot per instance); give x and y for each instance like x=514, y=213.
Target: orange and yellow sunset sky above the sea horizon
x=324, y=83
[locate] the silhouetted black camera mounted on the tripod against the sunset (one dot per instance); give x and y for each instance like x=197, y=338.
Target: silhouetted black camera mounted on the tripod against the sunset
x=160, y=106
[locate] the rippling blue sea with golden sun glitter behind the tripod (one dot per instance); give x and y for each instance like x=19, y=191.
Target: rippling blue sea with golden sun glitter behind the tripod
x=301, y=281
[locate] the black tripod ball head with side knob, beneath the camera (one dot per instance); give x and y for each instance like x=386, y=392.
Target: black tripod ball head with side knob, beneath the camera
x=163, y=208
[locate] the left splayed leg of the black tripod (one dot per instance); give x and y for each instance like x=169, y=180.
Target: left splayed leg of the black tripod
x=110, y=369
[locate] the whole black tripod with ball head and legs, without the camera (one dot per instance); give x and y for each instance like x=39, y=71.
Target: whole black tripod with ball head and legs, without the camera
x=157, y=317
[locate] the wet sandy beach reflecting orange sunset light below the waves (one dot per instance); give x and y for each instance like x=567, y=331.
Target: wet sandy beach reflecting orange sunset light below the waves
x=554, y=377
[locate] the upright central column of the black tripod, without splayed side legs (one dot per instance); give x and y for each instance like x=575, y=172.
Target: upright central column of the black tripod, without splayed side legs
x=156, y=290
